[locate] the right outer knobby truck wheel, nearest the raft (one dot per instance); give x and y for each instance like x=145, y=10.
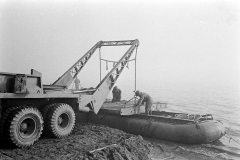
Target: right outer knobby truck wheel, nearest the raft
x=60, y=120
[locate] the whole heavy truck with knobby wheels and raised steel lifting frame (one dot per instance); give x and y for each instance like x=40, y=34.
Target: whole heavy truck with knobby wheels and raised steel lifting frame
x=29, y=109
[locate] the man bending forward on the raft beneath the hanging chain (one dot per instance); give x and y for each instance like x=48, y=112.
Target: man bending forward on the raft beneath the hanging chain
x=144, y=97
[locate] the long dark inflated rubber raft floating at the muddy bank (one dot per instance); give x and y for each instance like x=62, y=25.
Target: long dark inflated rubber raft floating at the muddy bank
x=175, y=127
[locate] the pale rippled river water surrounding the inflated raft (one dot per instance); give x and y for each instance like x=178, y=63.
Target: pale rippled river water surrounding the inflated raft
x=223, y=102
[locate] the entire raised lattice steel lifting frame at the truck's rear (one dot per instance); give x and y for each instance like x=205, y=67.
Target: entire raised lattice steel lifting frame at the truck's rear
x=94, y=100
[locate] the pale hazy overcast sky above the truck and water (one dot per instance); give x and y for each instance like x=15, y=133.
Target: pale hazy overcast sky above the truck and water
x=180, y=41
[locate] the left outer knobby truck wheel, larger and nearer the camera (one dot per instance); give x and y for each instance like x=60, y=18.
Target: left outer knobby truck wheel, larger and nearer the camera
x=24, y=127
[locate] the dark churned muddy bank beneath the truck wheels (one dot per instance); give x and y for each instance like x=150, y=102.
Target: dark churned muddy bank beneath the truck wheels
x=87, y=141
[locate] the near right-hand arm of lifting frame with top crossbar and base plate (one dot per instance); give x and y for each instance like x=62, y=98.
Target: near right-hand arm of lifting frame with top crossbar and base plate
x=102, y=90
